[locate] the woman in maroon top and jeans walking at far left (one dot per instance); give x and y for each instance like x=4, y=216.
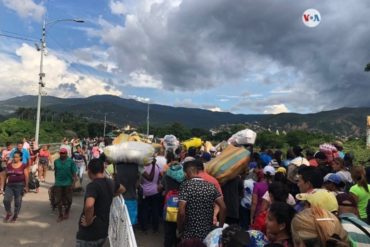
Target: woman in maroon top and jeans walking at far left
x=17, y=183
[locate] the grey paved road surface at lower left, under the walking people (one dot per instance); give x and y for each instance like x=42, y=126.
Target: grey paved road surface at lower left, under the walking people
x=37, y=225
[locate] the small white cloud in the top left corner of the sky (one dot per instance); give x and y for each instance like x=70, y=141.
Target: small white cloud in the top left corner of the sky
x=26, y=8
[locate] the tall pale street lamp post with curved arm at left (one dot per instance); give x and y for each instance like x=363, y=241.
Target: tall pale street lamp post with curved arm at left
x=42, y=74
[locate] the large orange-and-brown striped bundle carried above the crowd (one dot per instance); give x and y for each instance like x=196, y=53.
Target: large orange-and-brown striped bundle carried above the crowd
x=229, y=164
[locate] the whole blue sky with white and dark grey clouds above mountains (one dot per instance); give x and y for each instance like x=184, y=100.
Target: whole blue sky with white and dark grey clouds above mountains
x=243, y=56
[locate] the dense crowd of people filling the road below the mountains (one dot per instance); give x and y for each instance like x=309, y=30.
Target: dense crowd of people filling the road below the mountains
x=301, y=198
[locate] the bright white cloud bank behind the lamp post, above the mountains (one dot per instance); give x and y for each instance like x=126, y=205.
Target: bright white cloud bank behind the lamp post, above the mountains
x=60, y=80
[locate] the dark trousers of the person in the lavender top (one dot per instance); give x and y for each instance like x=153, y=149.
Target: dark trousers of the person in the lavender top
x=149, y=209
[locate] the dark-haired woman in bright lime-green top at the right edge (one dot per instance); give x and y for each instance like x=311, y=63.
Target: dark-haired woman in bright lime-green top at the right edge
x=361, y=190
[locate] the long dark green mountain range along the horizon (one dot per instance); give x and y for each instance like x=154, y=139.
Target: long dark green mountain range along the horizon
x=340, y=122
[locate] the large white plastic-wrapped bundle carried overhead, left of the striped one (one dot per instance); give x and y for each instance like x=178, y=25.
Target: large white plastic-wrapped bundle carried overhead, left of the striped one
x=130, y=152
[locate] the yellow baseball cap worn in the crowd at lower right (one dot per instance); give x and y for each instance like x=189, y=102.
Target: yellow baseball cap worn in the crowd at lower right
x=320, y=198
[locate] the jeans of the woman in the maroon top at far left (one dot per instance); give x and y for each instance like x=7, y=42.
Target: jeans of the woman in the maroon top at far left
x=16, y=191
